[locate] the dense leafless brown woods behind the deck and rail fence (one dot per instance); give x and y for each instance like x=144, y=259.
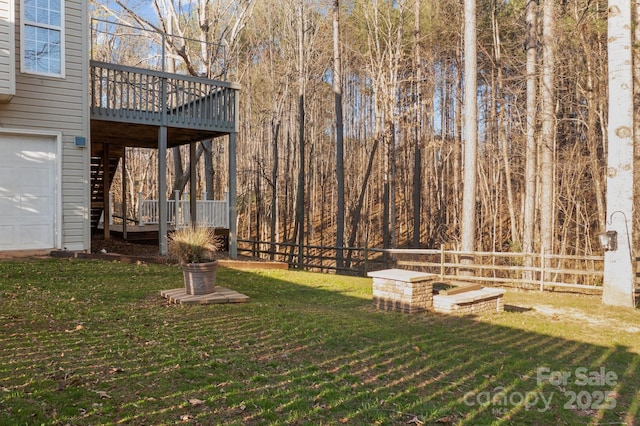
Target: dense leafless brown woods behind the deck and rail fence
x=541, y=102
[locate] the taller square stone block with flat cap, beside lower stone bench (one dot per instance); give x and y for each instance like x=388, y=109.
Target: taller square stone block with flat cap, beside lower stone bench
x=402, y=290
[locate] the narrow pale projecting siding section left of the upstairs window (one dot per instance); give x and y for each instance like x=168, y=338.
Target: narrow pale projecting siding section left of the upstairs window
x=7, y=51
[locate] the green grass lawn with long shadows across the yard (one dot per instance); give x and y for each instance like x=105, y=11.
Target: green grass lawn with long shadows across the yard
x=92, y=342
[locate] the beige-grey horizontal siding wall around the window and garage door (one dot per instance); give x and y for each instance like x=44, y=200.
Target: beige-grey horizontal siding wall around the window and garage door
x=60, y=105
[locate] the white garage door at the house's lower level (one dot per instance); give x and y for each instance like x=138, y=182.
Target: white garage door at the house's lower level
x=27, y=192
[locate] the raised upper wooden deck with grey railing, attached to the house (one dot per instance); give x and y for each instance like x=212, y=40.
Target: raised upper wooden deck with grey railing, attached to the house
x=141, y=100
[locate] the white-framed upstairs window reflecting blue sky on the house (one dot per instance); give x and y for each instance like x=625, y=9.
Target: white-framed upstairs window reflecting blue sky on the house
x=42, y=37
